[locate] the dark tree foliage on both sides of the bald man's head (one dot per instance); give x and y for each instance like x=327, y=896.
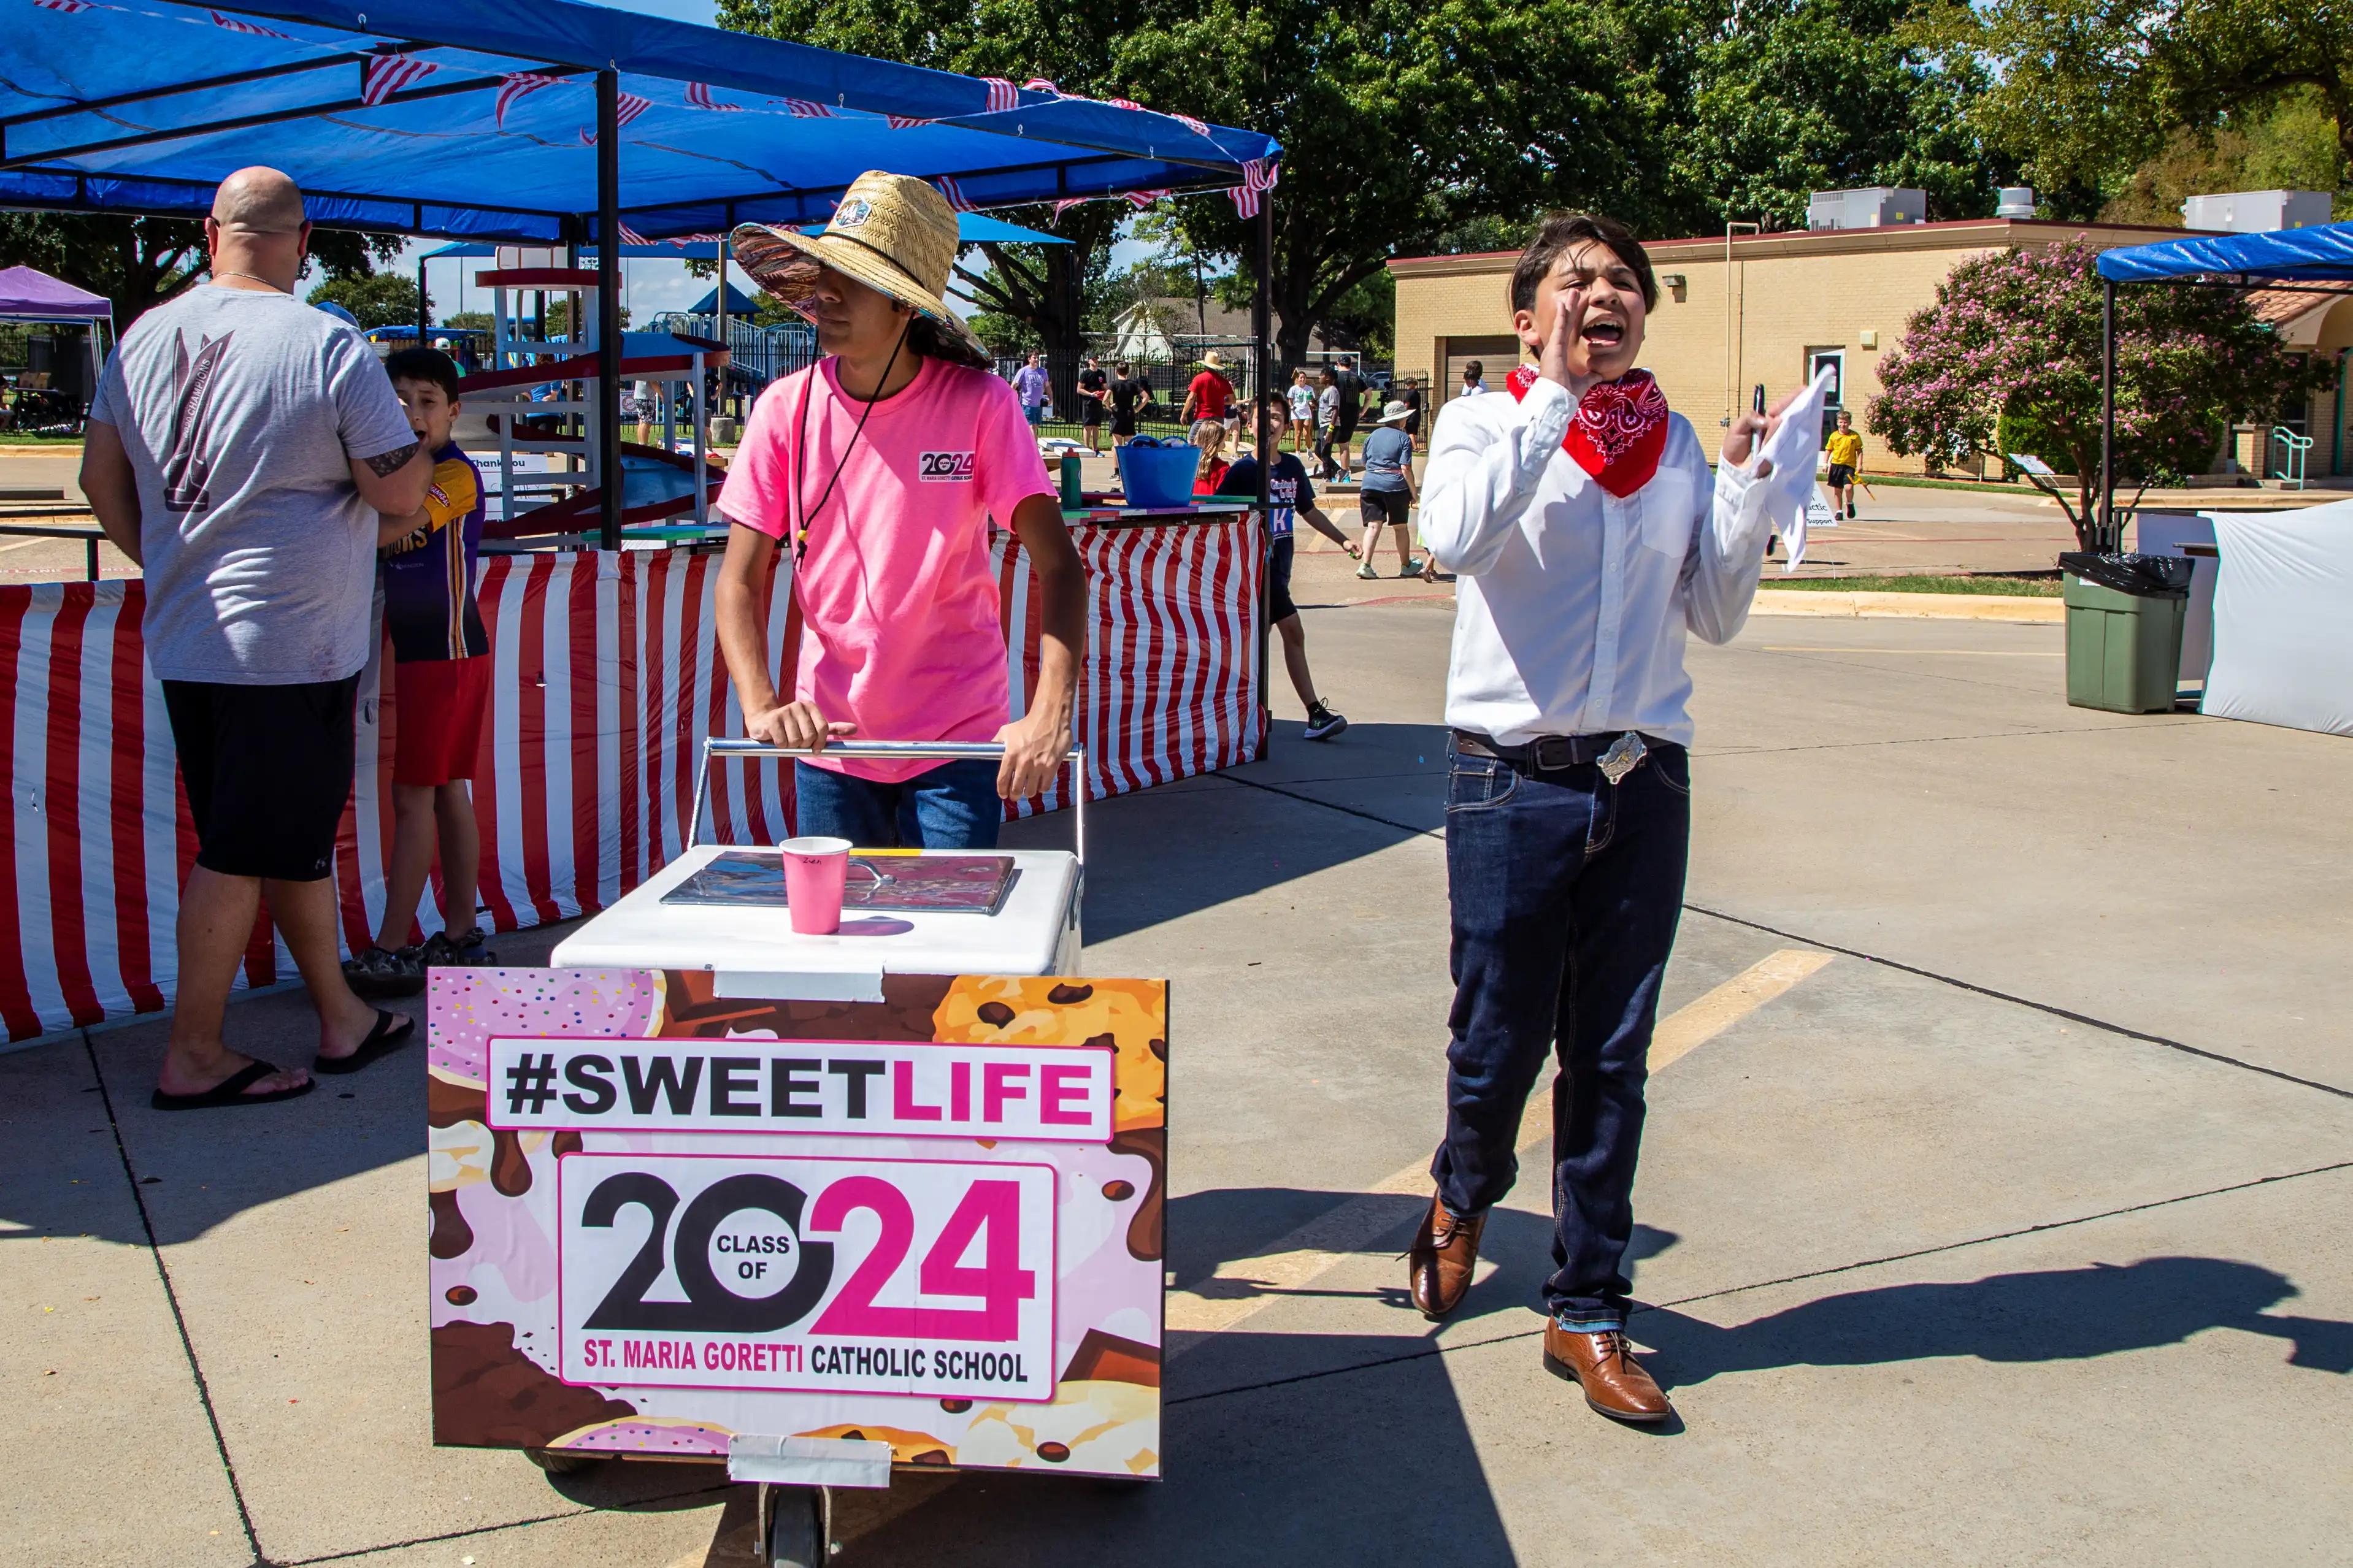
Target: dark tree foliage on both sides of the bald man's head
x=140, y=264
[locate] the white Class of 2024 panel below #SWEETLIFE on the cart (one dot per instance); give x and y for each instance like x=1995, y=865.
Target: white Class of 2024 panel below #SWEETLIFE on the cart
x=827, y=1275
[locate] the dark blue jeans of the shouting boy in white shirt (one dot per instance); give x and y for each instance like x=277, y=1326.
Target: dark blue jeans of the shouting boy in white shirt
x=1566, y=894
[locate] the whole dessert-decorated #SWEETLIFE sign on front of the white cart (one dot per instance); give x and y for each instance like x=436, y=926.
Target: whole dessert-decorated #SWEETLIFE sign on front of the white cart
x=662, y=1219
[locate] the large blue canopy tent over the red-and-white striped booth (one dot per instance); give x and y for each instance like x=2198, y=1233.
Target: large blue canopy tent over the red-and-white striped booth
x=545, y=123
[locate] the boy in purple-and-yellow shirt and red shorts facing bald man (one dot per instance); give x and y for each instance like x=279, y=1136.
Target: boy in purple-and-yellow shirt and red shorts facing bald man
x=441, y=690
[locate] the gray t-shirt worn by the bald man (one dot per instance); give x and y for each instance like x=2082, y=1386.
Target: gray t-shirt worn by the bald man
x=241, y=413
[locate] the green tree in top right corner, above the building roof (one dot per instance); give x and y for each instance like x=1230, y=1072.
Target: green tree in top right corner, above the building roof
x=2084, y=93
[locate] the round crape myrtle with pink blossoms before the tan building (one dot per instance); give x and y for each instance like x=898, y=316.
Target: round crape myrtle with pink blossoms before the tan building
x=2011, y=351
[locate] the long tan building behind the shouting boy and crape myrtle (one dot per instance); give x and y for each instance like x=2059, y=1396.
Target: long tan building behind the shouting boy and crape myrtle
x=1785, y=304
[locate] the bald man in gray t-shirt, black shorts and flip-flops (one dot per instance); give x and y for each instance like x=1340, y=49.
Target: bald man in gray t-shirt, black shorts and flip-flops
x=246, y=450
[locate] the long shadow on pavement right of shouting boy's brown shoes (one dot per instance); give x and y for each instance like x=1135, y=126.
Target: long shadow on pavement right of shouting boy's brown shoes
x=2051, y=1315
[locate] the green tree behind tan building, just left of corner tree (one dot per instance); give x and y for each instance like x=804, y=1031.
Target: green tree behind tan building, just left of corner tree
x=1829, y=95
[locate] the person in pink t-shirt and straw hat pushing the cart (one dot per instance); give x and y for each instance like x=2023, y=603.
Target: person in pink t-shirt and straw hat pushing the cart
x=881, y=469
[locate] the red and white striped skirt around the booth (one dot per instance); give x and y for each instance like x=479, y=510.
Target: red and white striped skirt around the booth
x=604, y=690
